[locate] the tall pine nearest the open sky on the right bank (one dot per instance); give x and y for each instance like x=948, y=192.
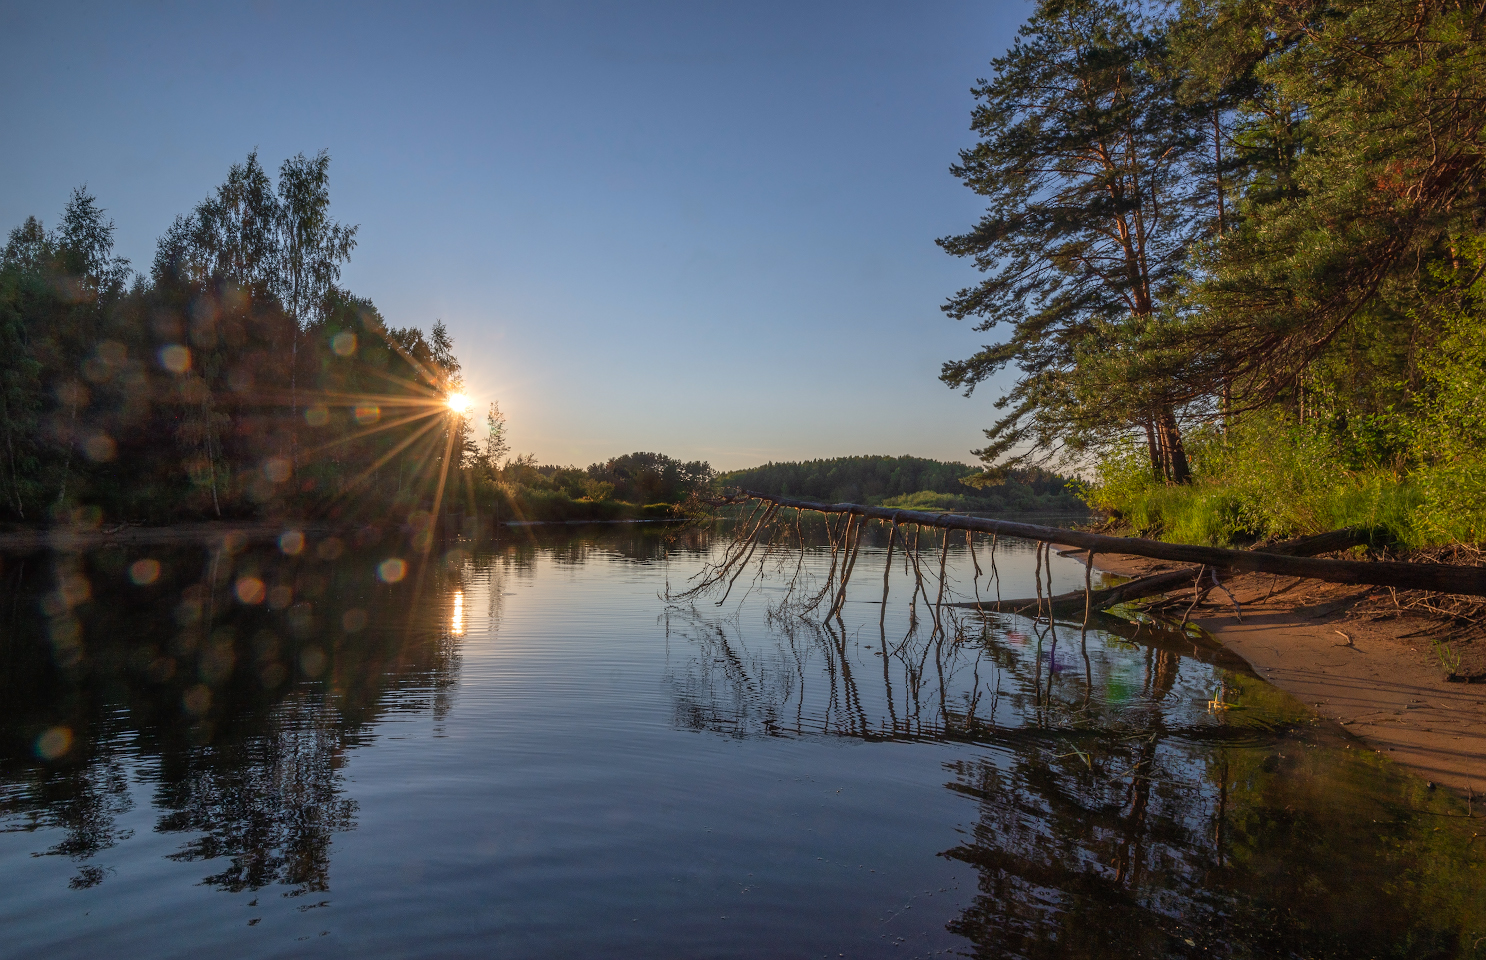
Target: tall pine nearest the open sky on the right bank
x=1087, y=161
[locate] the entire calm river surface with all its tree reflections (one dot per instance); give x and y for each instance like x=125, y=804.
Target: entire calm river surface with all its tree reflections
x=522, y=751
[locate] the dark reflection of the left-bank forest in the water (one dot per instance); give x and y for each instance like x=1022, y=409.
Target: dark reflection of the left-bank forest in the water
x=231, y=678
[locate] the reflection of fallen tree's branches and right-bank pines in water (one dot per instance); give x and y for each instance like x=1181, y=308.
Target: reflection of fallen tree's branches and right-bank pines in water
x=1142, y=799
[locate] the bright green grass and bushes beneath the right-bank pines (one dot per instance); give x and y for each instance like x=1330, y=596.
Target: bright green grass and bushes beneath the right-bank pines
x=1412, y=469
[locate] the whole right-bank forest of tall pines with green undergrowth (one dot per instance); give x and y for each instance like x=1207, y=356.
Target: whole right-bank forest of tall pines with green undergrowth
x=1234, y=259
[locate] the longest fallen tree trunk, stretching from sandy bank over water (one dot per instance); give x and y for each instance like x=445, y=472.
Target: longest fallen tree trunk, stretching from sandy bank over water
x=1438, y=577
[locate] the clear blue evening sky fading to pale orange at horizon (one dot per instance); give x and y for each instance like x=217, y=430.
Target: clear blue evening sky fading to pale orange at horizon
x=698, y=230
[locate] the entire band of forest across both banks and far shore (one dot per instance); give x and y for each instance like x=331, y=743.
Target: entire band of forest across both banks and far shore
x=1234, y=256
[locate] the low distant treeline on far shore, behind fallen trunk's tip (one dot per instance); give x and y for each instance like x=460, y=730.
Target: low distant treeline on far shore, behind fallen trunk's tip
x=910, y=482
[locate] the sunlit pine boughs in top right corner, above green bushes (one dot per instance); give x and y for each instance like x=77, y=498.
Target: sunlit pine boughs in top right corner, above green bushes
x=1366, y=166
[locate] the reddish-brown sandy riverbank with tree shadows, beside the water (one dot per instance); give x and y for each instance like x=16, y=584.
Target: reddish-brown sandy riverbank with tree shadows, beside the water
x=1359, y=659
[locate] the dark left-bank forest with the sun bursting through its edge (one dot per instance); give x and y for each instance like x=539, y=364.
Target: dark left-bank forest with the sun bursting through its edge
x=239, y=380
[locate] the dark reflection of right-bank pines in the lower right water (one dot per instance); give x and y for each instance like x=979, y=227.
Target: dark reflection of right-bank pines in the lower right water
x=1163, y=848
